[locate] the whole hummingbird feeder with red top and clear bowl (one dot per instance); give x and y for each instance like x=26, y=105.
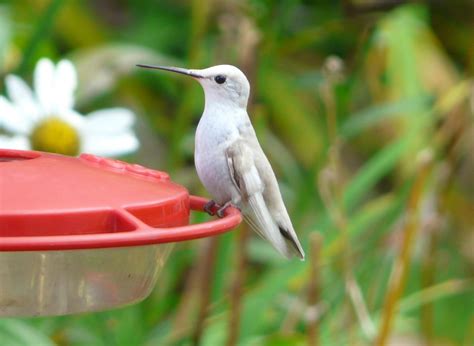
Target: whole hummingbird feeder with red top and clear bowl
x=88, y=233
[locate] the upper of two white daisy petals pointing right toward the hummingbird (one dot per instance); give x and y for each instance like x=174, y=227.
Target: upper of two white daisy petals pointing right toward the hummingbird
x=109, y=121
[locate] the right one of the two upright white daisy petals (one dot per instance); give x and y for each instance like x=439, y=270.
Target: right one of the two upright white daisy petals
x=64, y=85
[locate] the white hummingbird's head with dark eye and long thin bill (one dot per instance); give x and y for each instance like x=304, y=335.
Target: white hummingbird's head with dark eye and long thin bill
x=221, y=83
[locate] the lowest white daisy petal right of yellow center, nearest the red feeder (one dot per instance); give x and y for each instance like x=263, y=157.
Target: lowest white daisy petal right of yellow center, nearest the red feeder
x=122, y=144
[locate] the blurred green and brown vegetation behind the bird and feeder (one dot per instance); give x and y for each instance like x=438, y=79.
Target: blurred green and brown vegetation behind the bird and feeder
x=365, y=109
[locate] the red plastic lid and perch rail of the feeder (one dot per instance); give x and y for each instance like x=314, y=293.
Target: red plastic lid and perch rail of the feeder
x=53, y=202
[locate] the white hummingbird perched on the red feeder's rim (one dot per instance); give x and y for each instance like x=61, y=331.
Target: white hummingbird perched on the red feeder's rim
x=230, y=161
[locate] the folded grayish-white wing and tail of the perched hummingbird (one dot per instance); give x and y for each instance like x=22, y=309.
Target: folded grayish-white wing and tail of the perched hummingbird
x=243, y=160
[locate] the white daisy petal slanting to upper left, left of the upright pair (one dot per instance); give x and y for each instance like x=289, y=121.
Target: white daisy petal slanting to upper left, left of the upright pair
x=22, y=97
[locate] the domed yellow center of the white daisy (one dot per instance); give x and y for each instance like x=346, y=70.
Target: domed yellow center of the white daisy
x=54, y=135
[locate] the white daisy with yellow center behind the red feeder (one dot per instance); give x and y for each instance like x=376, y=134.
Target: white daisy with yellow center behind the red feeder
x=45, y=120
